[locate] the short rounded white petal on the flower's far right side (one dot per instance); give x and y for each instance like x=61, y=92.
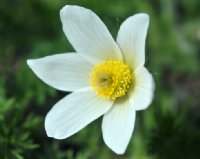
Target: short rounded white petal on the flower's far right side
x=141, y=94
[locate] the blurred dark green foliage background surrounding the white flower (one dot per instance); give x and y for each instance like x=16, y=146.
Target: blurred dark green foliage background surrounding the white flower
x=168, y=129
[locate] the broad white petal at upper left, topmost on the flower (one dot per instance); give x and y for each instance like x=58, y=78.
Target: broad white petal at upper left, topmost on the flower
x=88, y=34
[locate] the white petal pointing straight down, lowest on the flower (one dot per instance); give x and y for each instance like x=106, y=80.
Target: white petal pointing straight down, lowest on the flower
x=118, y=124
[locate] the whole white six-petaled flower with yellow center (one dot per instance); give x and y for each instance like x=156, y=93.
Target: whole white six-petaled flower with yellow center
x=105, y=77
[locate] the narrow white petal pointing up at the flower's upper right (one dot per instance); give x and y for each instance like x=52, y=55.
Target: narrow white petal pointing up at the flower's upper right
x=131, y=39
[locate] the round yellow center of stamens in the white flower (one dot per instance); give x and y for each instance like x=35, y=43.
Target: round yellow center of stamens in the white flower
x=111, y=79
